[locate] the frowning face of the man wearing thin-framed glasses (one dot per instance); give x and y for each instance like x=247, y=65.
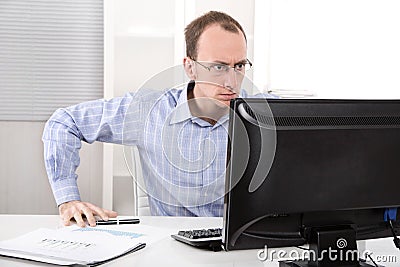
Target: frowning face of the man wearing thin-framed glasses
x=219, y=46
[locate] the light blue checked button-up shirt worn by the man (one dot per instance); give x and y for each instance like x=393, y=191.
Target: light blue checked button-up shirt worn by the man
x=183, y=157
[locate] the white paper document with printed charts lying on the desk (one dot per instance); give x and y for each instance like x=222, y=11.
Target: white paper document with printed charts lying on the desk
x=74, y=245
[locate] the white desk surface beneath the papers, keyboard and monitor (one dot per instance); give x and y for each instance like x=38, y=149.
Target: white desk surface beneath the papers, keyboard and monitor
x=169, y=252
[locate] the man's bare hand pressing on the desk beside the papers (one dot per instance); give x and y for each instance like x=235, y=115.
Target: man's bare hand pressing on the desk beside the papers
x=76, y=209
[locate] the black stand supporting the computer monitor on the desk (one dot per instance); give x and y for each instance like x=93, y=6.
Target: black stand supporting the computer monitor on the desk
x=330, y=246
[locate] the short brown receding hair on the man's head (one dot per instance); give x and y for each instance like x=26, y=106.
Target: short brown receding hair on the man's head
x=197, y=27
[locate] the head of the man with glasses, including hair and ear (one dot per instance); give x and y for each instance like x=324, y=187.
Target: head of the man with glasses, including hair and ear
x=216, y=56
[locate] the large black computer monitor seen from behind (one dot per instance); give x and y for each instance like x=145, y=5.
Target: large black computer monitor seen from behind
x=309, y=171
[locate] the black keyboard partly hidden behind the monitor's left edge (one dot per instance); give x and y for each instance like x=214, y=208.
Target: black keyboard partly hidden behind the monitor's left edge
x=204, y=238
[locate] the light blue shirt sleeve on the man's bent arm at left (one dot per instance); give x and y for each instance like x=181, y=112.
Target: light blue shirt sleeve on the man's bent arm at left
x=98, y=120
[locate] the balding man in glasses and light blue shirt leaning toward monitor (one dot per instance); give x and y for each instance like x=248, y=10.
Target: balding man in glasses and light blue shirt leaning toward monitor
x=181, y=134
